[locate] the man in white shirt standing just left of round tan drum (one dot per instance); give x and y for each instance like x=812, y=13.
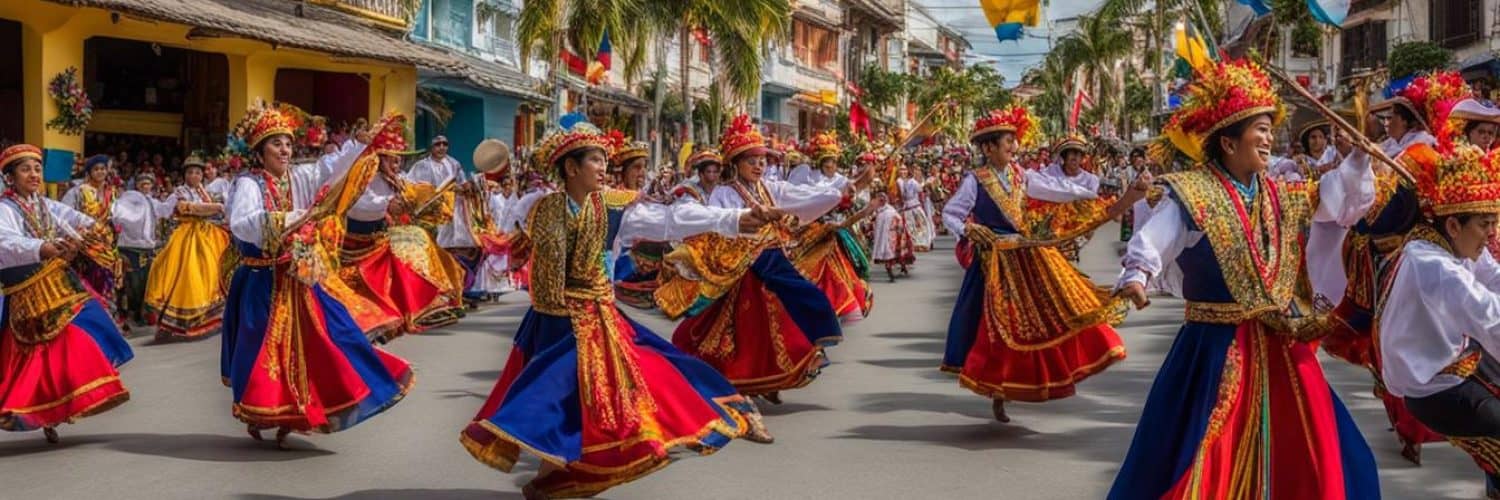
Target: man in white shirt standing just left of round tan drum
x=457, y=238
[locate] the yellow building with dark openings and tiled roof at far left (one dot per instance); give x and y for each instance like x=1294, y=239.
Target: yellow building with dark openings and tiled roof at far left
x=182, y=73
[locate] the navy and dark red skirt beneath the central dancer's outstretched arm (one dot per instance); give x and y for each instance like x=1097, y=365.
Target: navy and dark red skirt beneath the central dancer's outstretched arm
x=769, y=333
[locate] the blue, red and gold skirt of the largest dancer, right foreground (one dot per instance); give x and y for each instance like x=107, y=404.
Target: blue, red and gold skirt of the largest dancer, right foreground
x=1241, y=414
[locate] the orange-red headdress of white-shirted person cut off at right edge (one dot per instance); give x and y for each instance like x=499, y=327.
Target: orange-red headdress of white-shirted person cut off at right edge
x=1462, y=181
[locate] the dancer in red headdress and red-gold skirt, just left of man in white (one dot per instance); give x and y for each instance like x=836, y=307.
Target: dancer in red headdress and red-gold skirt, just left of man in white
x=392, y=262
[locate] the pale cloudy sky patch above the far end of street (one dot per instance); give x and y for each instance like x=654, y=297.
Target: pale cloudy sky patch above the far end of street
x=1013, y=58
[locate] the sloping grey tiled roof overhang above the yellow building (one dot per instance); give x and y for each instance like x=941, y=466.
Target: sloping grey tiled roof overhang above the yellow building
x=277, y=22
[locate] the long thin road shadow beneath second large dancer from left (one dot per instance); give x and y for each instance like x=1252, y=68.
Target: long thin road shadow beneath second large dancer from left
x=212, y=448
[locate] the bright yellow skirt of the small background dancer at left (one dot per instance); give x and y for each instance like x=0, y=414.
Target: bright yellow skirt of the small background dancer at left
x=185, y=288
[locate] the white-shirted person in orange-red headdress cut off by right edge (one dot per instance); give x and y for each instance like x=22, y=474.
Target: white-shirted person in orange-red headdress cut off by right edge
x=1438, y=325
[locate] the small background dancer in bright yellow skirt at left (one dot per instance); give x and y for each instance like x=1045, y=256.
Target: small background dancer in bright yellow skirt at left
x=185, y=288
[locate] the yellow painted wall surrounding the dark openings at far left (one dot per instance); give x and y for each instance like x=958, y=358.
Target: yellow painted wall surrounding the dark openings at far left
x=53, y=40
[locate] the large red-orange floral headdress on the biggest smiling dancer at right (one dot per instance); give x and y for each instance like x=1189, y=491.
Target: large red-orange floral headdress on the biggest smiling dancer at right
x=1222, y=95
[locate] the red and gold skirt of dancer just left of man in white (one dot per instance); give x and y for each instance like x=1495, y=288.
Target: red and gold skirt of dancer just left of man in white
x=406, y=274
